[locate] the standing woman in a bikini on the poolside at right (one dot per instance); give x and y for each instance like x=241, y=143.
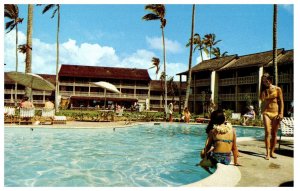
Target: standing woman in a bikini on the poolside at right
x=272, y=112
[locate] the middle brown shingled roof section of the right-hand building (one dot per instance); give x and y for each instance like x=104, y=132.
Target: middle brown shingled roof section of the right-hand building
x=250, y=60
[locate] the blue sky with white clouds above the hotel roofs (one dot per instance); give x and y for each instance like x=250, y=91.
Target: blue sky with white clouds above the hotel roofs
x=115, y=35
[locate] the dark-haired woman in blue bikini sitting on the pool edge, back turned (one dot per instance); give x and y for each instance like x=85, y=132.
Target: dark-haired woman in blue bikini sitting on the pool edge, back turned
x=221, y=142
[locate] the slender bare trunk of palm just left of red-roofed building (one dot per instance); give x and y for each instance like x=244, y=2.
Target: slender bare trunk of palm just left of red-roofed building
x=57, y=60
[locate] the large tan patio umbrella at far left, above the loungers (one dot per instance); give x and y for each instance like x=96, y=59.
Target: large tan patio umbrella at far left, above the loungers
x=31, y=80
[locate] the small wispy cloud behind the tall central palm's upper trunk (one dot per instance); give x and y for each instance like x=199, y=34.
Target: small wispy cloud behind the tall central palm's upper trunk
x=171, y=46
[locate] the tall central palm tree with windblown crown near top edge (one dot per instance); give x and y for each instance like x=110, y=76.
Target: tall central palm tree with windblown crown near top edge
x=158, y=12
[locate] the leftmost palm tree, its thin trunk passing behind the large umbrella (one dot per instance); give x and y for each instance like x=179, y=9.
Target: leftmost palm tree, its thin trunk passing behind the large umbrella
x=11, y=11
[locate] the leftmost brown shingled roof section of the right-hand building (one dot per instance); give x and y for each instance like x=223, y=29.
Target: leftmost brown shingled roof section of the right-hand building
x=212, y=64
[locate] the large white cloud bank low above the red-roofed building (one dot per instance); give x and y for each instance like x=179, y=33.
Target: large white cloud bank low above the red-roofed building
x=44, y=57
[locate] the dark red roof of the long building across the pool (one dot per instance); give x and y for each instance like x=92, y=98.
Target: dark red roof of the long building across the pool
x=104, y=72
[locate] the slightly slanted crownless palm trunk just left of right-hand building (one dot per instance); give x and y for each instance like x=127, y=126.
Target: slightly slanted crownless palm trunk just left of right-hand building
x=188, y=85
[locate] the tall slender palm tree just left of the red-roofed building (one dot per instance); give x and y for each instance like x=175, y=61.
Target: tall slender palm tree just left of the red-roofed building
x=56, y=8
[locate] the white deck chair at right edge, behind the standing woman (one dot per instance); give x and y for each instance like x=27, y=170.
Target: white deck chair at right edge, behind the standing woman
x=286, y=128
